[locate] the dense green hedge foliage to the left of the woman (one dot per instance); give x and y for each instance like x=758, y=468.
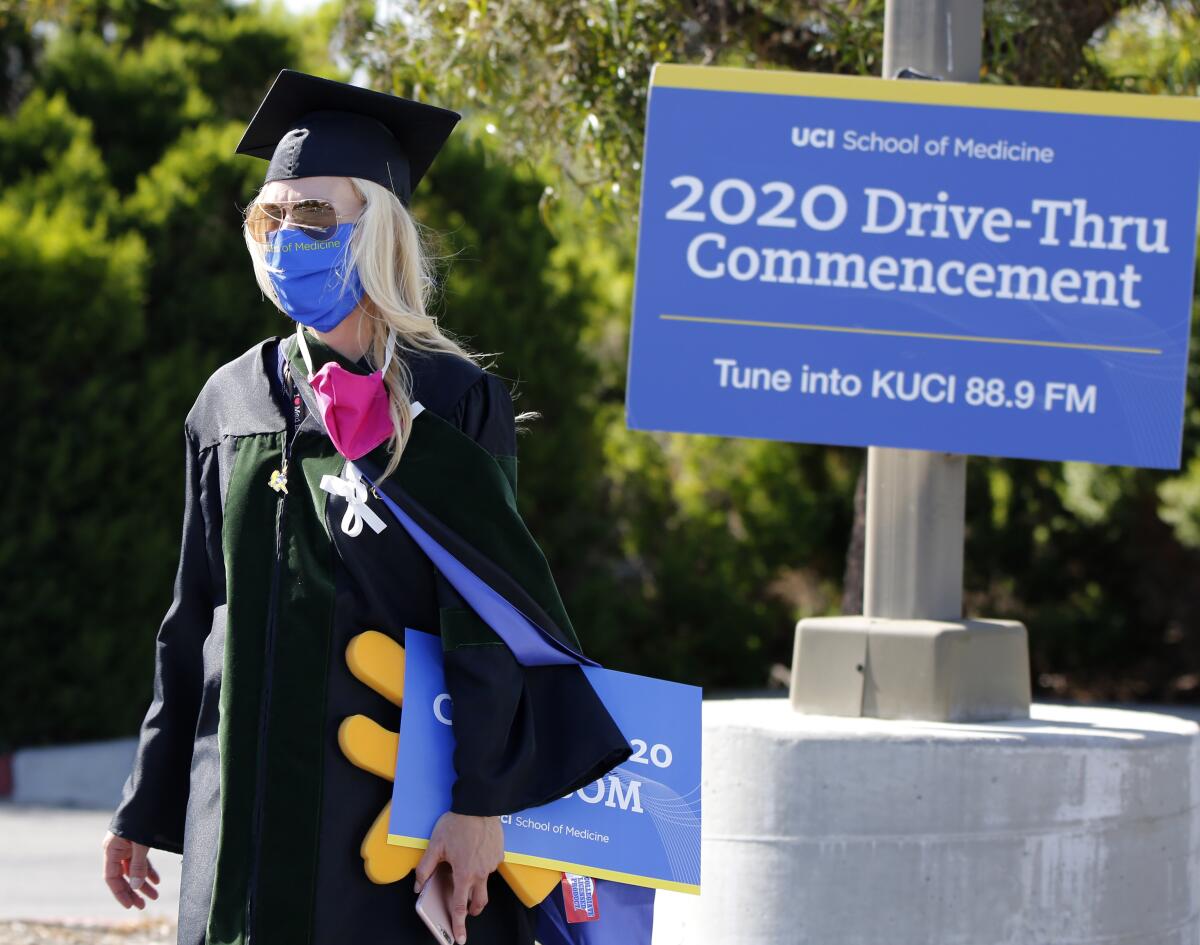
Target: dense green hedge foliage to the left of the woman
x=118, y=257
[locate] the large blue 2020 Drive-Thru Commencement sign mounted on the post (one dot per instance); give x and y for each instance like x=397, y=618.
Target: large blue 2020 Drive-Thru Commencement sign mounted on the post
x=927, y=266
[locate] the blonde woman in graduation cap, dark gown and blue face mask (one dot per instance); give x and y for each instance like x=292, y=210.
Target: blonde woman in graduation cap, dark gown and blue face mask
x=238, y=765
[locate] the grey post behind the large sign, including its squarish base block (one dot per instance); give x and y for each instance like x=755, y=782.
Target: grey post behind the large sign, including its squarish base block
x=911, y=655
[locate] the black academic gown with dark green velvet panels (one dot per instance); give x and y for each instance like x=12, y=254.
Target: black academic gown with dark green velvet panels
x=238, y=766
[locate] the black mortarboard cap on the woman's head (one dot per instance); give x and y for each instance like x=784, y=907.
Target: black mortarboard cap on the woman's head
x=308, y=127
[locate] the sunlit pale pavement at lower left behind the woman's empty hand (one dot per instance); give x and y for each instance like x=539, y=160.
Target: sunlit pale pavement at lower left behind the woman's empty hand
x=51, y=872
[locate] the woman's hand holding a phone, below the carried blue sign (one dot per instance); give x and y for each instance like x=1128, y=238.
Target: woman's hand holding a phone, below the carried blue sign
x=473, y=847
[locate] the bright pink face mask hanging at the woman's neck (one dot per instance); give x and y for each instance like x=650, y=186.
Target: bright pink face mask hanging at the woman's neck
x=353, y=407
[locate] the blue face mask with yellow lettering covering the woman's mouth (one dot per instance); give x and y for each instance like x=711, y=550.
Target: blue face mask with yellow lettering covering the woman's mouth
x=309, y=284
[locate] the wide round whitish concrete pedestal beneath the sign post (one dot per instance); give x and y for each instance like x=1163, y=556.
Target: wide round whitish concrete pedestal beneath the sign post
x=1075, y=826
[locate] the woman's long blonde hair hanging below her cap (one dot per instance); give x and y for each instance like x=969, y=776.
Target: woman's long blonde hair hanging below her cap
x=393, y=256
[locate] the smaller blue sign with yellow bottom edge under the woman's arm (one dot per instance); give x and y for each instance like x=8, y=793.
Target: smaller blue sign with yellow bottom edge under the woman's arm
x=639, y=824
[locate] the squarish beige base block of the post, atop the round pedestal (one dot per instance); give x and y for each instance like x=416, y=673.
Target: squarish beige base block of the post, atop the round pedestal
x=934, y=670
